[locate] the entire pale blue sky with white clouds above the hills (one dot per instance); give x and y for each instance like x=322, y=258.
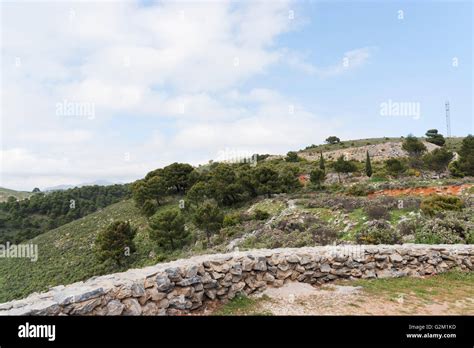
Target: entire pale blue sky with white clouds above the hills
x=109, y=90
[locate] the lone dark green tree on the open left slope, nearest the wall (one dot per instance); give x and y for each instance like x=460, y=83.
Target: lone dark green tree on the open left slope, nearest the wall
x=115, y=242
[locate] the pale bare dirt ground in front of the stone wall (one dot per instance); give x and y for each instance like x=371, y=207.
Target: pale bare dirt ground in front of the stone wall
x=304, y=299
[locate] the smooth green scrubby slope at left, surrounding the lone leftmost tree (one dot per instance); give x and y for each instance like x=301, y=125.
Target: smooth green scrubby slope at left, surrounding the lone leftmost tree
x=65, y=253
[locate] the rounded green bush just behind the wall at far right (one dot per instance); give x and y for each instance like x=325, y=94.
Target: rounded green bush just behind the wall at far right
x=443, y=231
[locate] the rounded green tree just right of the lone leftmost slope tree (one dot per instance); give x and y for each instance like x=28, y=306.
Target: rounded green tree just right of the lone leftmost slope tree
x=168, y=230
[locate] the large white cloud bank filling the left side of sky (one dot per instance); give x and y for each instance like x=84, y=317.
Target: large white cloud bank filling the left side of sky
x=177, y=67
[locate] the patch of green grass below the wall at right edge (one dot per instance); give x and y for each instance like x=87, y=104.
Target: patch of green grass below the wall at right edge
x=448, y=286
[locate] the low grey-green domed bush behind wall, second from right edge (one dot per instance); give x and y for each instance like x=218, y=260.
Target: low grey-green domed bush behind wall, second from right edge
x=378, y=232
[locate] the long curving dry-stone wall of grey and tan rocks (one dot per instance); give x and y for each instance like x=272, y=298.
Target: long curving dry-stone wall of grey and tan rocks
x=185, y=285
